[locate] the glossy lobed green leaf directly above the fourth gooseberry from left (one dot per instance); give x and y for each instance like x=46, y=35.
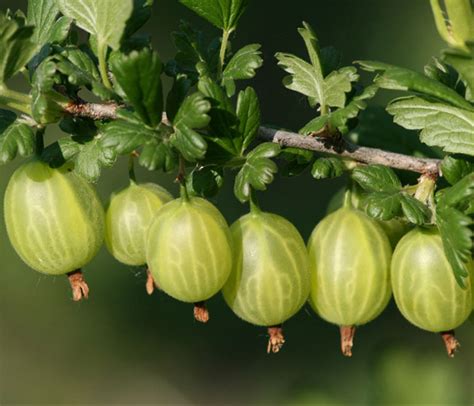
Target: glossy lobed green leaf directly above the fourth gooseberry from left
x=257, y=172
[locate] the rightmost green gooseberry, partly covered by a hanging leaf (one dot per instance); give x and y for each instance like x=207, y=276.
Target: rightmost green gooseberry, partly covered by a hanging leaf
x=424, y=286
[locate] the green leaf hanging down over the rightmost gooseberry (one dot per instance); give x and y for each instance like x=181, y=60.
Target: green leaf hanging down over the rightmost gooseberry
x=456, y=235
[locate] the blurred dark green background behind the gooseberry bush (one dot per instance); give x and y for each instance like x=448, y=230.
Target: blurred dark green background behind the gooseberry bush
x=122, y=346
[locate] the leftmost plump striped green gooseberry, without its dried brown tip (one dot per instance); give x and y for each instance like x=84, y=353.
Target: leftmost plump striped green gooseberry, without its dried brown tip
x=54, y=218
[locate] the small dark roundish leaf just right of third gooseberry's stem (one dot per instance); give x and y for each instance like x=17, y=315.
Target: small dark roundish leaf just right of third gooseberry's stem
x=205, y=181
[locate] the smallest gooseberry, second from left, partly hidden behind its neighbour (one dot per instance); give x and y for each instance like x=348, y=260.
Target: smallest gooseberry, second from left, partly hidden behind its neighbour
x=128, y=218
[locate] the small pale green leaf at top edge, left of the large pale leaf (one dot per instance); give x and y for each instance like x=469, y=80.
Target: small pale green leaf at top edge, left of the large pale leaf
x=42, y=15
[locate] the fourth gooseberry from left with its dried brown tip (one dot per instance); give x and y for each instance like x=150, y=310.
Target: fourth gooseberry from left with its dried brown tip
x=270, y=278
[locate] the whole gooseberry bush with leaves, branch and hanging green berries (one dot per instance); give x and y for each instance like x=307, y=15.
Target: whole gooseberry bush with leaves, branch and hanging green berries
x=92, y=72
